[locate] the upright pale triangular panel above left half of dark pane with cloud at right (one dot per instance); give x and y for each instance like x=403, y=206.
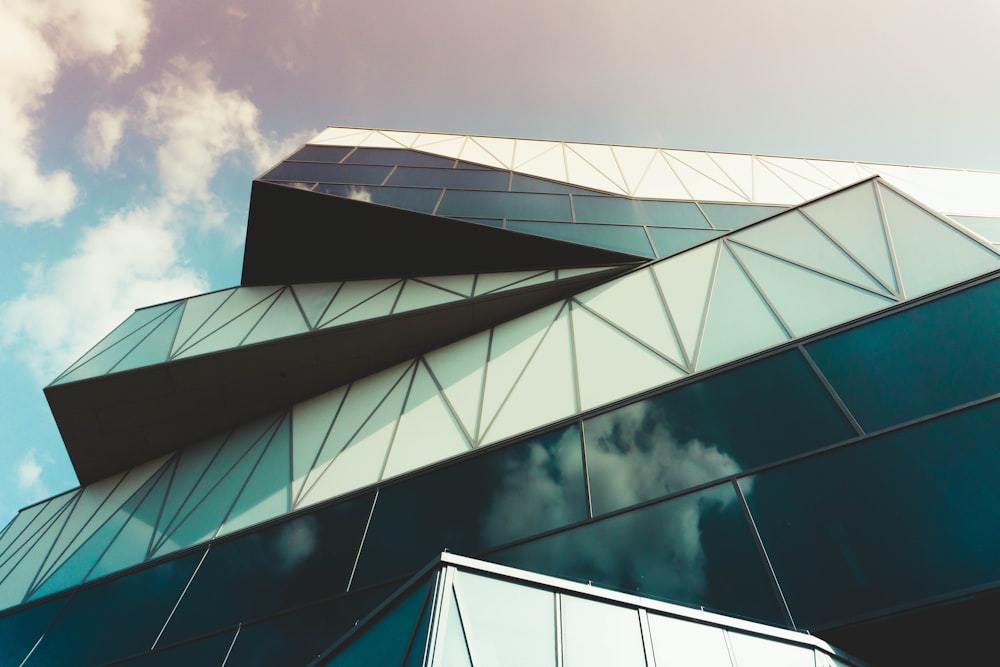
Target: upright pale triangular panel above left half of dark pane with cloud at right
x=427, y=430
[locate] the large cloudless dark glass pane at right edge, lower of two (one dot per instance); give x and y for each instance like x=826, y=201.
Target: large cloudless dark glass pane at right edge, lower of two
x=898, y=519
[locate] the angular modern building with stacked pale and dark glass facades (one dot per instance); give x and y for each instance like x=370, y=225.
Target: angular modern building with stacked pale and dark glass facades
x=662, y=397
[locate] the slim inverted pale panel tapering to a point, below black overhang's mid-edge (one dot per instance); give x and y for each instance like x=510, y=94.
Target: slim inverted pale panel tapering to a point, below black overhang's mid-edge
x=512, y=345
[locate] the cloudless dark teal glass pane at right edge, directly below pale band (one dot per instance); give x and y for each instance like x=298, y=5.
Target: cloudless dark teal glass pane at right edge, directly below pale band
x=917, y=362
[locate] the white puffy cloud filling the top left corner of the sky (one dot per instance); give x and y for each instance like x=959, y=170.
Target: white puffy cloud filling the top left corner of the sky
x=37, y=39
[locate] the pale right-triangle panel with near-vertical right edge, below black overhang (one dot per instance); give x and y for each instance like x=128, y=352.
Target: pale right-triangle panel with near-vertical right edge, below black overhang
x=547, y=389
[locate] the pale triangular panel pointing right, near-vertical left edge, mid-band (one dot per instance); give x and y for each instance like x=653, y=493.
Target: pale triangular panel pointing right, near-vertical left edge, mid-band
x=611, y=365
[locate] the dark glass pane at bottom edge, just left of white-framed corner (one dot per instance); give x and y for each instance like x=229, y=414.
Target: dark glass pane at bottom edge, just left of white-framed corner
x=297, y=638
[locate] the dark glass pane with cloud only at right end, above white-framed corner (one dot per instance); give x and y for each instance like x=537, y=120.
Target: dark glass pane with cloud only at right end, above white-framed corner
x=473, y=505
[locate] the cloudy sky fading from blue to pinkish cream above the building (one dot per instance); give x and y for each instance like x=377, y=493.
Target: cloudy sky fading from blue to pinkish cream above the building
x=130, y=131
